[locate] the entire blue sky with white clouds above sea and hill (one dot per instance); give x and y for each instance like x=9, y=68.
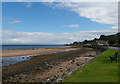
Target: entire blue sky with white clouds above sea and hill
x=57, y=22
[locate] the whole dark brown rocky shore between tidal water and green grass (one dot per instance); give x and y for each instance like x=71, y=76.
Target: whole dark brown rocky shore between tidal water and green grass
x=50, y=68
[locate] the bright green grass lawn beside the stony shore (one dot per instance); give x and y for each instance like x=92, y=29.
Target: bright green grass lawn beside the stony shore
x=100, y=70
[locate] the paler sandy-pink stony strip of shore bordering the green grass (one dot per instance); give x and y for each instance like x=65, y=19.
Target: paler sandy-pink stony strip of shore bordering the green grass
x=71, y=66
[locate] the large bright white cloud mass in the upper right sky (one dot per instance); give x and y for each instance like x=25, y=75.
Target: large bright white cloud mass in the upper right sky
x=103, y=13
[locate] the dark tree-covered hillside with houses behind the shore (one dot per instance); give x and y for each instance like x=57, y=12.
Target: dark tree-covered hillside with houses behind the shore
x=109, y=40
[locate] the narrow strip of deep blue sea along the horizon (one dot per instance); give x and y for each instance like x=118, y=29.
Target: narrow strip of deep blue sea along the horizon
x=8, y=47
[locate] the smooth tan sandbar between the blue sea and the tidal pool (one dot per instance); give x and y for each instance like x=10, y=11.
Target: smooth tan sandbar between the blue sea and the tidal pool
x=22, y=52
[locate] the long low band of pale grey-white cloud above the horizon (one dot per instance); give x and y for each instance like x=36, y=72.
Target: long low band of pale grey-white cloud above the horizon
x=13, y=37
